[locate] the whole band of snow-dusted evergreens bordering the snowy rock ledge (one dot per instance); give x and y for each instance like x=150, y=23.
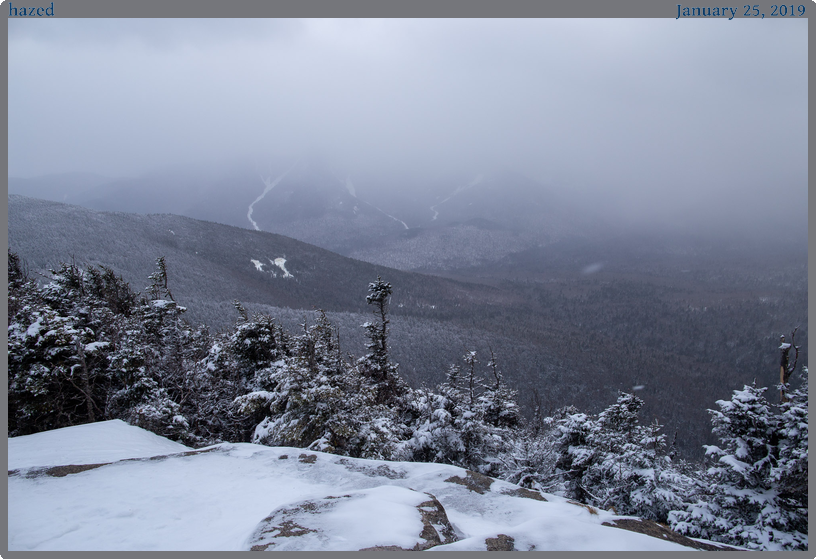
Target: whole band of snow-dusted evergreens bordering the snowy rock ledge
x=85, y=347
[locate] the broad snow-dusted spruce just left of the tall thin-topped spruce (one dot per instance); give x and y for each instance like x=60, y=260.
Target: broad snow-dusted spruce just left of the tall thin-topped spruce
x=311, y=397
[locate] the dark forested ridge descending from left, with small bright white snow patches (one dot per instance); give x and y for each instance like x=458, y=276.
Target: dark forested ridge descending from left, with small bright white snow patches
x=252, y=266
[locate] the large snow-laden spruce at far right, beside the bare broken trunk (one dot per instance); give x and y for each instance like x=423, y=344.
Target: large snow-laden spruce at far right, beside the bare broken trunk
x=745, y=504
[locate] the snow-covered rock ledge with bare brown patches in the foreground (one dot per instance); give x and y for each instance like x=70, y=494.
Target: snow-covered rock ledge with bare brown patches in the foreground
x=111, y=486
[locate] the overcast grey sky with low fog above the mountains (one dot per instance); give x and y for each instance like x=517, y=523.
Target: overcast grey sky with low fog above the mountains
x=651, y=115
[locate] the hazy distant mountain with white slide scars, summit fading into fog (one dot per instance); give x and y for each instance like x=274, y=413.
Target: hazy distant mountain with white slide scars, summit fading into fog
x=441, y=223
